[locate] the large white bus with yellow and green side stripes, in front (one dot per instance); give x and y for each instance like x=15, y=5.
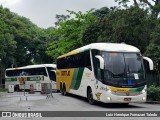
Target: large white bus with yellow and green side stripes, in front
x=106, y=72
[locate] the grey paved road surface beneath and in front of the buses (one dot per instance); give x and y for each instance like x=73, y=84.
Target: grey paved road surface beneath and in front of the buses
x=37, y=102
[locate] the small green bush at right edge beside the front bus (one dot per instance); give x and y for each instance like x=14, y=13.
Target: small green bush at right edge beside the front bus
x=153, y=93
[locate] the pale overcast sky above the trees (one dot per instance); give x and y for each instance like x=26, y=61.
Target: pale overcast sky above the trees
x=43, y=12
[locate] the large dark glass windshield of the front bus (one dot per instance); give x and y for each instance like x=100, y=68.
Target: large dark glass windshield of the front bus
x=123, y=65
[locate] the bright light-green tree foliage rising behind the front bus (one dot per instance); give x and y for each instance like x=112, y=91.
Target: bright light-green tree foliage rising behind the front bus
x=68, y=34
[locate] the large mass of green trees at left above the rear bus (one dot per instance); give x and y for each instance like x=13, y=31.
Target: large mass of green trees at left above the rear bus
x=22, y=42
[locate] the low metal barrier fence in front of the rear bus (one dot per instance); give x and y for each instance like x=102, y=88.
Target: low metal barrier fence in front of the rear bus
x=21, y=95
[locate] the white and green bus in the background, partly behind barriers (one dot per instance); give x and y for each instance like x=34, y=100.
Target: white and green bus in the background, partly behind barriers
x=34, y=75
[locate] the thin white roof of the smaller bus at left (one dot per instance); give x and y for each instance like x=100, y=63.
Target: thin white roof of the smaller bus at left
x=33, y=66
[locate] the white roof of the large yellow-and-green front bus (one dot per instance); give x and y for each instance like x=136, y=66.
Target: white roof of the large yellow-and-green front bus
x=110, y=47
